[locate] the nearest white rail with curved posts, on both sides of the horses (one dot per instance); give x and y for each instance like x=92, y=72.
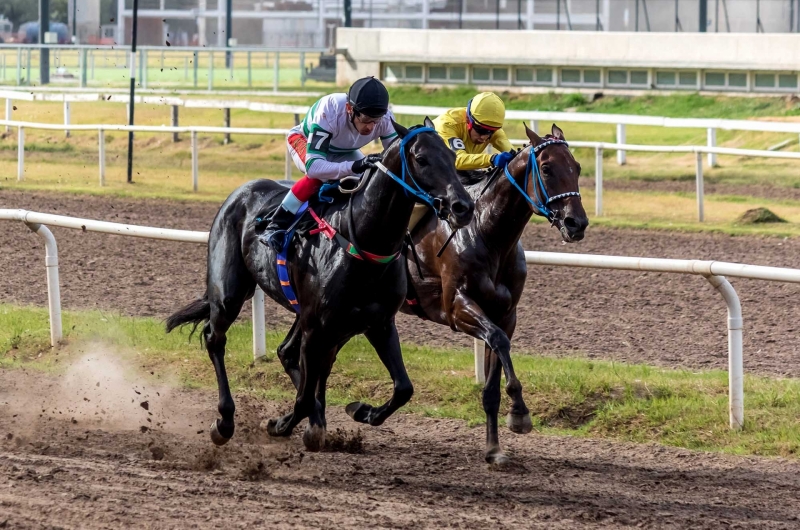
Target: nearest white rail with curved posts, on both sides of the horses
x=713, y=271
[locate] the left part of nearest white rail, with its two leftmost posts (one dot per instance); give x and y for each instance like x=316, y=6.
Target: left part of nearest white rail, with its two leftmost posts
x=37, y=221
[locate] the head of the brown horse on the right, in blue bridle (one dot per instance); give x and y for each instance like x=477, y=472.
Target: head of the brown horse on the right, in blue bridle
x=559, y=176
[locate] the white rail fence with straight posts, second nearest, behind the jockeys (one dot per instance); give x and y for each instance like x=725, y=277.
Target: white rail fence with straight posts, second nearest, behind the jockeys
x=288, y=165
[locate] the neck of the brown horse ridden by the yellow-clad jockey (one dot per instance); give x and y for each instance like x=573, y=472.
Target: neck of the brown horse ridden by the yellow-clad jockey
x=502, y=214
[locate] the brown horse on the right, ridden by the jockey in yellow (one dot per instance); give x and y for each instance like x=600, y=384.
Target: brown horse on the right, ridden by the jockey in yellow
x=476, y=284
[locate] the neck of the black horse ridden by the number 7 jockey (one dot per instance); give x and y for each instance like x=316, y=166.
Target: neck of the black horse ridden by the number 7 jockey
x=382, y=212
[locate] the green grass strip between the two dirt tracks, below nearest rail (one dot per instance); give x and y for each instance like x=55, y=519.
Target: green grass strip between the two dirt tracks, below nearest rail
x=566, y=396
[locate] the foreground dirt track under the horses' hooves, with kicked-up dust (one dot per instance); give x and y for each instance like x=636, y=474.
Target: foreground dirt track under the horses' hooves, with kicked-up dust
x=84, y=462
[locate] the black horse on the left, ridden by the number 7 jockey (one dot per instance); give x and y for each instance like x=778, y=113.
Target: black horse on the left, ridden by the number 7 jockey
x=339, y=296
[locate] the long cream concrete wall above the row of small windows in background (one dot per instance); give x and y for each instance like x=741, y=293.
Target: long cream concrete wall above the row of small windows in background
x=368, y=48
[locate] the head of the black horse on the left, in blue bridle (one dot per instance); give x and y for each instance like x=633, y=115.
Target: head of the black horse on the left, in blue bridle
x=431, y=165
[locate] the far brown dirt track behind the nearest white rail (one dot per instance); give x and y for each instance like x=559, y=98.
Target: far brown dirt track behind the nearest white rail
x=663, y=319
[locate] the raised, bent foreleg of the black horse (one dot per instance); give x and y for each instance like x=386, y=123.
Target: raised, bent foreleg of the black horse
x=386, y=342
